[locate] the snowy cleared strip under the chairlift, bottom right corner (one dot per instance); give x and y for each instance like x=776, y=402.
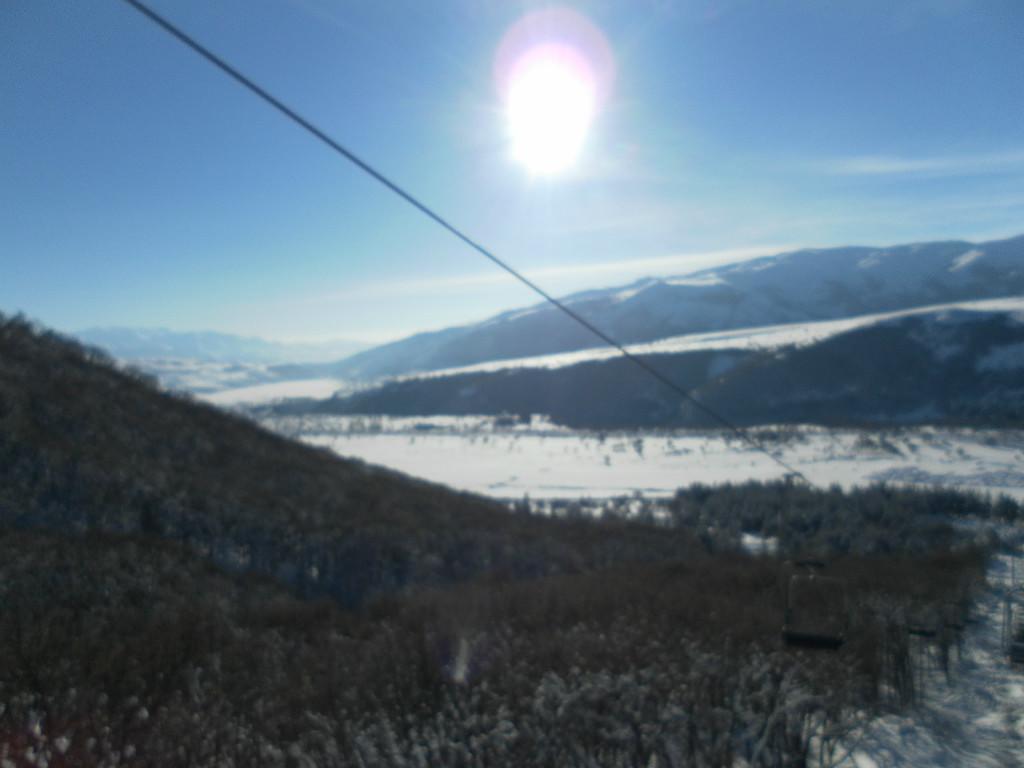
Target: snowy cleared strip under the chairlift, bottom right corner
x=974, y=720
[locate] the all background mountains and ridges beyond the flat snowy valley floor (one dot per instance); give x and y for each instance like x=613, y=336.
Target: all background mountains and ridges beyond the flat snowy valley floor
x=708, y=329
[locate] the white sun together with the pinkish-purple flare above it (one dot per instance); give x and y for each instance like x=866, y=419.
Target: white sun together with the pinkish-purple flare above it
x=553, y=70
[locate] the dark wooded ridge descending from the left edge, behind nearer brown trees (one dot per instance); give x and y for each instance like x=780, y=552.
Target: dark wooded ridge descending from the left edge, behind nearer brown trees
x=86, y=447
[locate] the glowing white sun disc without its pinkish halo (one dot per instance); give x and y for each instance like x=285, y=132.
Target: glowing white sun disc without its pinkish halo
x=549, y=107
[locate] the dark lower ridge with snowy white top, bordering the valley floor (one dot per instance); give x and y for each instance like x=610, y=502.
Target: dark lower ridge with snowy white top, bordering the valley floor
x=950, y=366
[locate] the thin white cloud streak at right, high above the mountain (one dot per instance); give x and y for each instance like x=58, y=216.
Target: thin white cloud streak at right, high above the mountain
x=951, y=165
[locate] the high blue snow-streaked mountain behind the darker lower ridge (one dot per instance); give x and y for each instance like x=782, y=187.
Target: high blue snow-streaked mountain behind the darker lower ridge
x=796, y=287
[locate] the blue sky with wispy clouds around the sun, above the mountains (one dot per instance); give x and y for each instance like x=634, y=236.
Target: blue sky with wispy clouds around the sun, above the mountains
x=142, y=188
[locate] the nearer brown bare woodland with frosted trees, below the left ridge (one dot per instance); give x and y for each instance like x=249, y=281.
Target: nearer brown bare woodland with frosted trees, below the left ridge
x=131, y=652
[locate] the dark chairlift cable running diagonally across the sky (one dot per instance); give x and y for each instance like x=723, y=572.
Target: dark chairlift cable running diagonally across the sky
x=430, y=214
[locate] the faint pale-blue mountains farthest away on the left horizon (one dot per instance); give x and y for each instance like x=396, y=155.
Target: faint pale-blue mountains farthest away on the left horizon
x=162, y=345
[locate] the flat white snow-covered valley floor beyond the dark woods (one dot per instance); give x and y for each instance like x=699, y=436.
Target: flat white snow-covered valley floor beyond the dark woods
x=508, y=460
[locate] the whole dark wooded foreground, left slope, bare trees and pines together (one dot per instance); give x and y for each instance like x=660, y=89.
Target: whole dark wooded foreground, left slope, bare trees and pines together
x=132, y=651
